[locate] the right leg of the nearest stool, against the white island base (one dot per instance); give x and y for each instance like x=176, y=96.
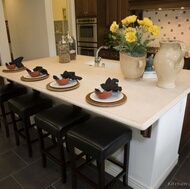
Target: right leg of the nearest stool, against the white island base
x=126, y=164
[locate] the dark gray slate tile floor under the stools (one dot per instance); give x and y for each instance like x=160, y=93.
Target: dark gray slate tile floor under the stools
x=17, y=171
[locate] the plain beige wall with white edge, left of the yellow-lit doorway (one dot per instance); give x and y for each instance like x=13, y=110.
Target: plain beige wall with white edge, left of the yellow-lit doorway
x=31, y=28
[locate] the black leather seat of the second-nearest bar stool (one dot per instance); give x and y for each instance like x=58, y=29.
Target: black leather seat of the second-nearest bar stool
x=59, y=119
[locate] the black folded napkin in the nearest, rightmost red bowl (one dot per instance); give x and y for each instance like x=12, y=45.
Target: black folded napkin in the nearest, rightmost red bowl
x=110, y=85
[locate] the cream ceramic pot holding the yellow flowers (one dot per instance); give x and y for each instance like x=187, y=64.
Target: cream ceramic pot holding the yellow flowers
x=132, y=67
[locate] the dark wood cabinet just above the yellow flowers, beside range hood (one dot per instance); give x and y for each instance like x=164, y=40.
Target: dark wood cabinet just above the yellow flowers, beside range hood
x=116, y=10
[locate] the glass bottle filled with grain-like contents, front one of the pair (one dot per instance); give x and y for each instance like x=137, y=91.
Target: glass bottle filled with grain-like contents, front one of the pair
x=63, y=51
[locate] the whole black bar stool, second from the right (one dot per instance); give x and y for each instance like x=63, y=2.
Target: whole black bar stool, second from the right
x=56, y=122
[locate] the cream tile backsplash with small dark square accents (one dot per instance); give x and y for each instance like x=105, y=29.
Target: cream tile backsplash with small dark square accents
x=174, y=24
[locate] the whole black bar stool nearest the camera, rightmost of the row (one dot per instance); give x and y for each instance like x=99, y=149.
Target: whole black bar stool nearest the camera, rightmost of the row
x=99, y=138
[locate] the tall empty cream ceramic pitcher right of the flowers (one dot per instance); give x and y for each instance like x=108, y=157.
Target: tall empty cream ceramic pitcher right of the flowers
x=168, y=62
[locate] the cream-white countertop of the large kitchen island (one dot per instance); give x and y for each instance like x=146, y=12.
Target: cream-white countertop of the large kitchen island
x=145, y=103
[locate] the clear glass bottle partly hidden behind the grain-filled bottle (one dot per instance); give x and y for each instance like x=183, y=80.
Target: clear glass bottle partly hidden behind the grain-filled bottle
x=72, y=45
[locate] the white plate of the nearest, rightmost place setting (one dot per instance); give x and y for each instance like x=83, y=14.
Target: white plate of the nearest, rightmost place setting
x=116, y=96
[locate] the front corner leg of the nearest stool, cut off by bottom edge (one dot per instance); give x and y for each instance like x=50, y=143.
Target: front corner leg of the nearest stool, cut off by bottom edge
x=101, y=174
